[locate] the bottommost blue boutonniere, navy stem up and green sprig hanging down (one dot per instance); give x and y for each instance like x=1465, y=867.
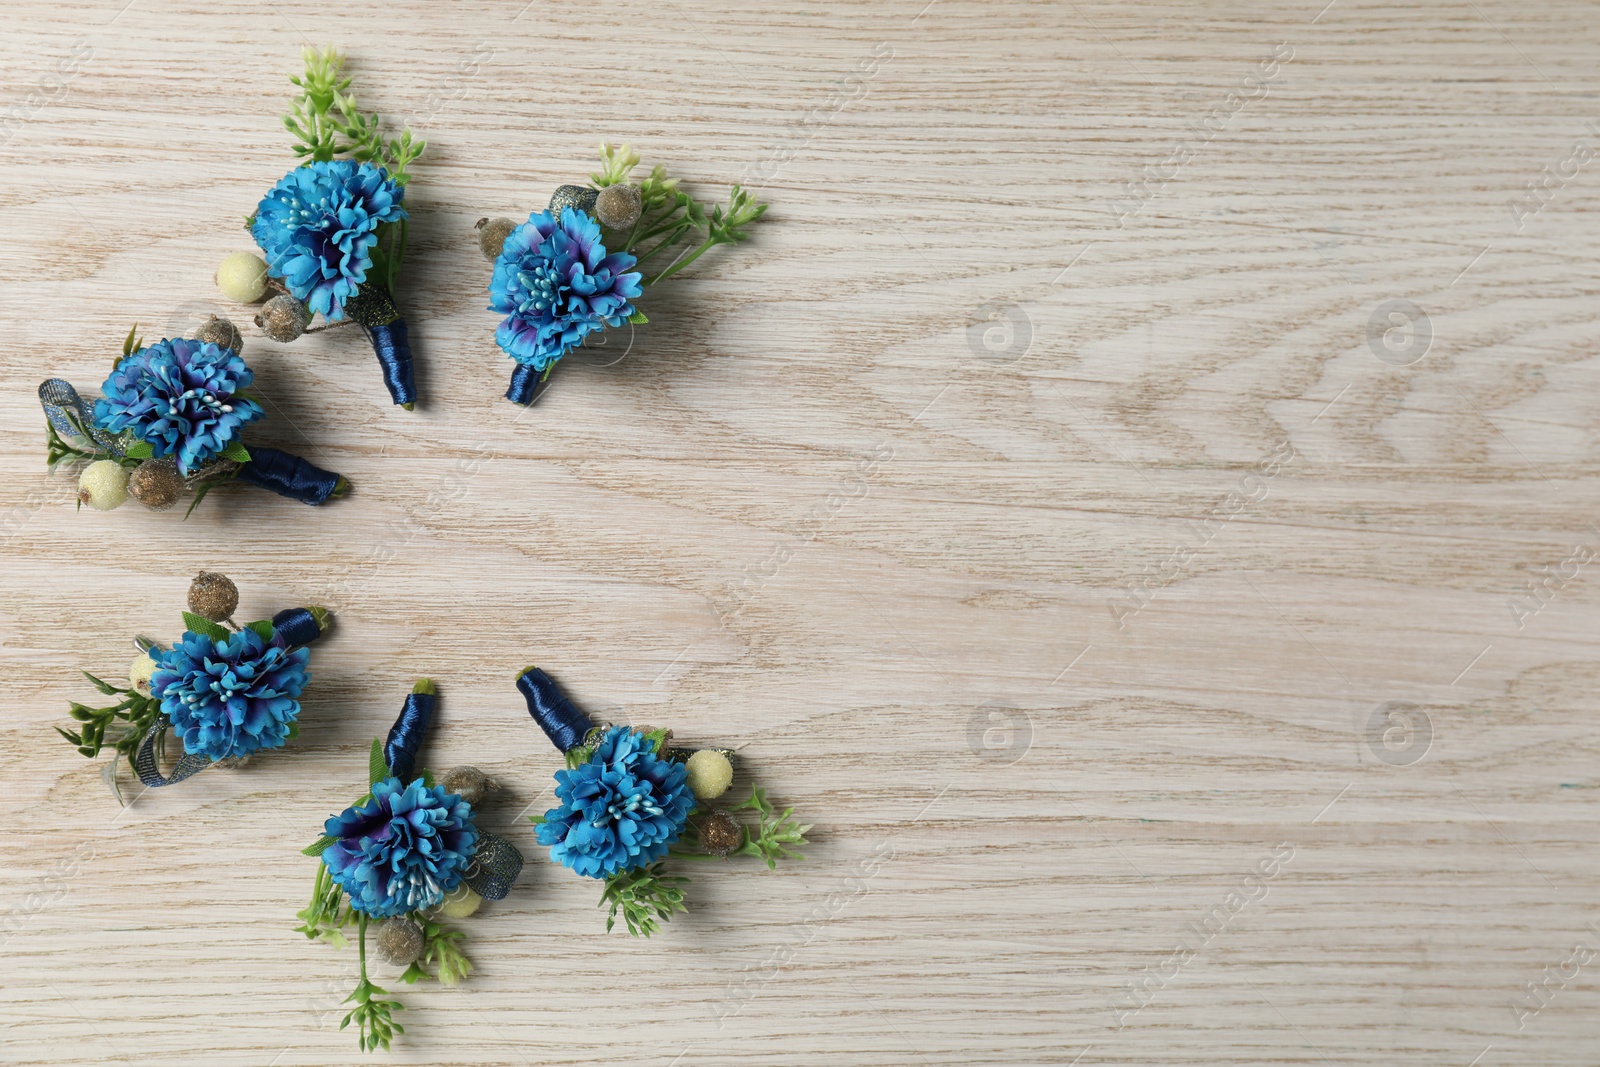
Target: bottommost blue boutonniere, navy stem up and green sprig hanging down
x=402, y=858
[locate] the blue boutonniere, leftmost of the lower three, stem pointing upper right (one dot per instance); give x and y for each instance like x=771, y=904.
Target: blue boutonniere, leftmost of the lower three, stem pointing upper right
x=223, y=692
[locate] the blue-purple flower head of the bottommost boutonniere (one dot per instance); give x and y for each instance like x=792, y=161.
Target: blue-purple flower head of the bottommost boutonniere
x=402, y=850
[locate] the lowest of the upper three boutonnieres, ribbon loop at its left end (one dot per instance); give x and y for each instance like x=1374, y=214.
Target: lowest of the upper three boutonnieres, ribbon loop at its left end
x=169, y=423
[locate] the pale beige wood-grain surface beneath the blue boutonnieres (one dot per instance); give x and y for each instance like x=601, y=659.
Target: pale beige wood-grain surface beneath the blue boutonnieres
x=948, y=526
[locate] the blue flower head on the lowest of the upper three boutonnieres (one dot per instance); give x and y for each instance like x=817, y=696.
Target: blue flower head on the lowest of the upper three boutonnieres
x=178, y=396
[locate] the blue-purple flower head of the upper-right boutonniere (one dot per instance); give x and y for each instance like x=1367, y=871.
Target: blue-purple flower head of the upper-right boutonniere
x=556, y=284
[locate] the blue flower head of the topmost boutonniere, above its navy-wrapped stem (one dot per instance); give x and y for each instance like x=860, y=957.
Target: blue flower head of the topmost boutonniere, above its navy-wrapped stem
x=319, y=226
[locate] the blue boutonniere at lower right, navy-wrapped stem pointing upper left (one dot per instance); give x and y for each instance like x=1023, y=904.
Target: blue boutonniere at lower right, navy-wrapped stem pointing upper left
x=631, y=801
